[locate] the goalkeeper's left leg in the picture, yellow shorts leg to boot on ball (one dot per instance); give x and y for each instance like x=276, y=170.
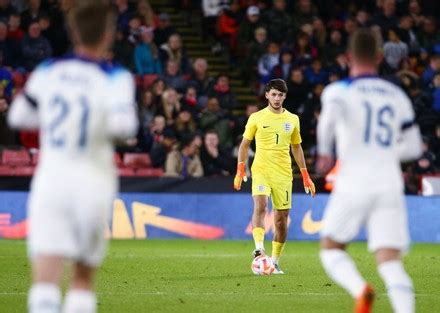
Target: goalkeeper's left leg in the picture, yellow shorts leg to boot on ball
x=260, y=194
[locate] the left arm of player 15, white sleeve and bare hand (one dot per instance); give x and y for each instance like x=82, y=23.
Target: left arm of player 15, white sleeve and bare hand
x=326, y=130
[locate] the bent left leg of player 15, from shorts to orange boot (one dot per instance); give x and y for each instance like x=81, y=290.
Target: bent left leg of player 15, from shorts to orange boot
x=342, y=220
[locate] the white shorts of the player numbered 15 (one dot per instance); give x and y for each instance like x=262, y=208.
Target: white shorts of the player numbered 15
x=383, y=215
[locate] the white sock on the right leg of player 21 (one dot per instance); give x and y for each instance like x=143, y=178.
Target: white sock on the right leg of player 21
x=80, y=301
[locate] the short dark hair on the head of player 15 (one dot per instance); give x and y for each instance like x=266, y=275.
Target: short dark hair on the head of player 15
x=363, y=45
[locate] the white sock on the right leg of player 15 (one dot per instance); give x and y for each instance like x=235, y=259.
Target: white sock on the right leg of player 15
x=399, y=286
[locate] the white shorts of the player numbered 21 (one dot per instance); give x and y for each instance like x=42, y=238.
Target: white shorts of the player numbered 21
x=69, y=219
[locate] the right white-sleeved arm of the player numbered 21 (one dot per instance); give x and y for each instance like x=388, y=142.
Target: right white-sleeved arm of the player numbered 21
x=122, y=120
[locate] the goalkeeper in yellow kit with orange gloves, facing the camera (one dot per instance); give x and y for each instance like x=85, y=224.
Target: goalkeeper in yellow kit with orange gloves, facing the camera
x=276, y=132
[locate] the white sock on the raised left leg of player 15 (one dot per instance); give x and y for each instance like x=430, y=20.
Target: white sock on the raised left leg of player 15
x=341, y=268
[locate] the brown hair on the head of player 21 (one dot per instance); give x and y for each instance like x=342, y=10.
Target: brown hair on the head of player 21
x=90, y=20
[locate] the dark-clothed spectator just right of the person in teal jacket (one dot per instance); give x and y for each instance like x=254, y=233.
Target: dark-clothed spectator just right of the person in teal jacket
x=173, y=50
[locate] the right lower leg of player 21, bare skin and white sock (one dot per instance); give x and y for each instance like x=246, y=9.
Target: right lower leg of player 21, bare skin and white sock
x=81, y=297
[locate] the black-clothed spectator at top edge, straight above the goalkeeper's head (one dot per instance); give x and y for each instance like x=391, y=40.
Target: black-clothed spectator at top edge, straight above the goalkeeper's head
x=277, y=21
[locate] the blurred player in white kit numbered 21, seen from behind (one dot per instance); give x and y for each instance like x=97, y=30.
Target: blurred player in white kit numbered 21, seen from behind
x=81, y=105
